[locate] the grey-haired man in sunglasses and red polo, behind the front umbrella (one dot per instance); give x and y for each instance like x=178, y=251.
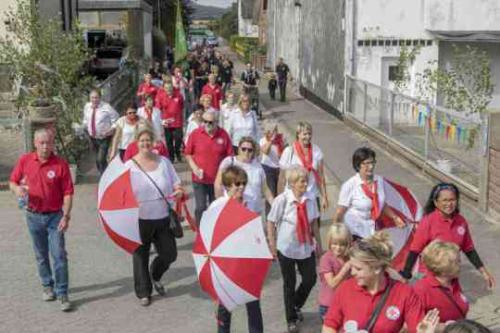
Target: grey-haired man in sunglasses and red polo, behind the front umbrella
x=206, y=147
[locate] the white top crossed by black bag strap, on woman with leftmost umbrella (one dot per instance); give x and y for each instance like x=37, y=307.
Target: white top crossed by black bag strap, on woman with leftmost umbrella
x=151, y=205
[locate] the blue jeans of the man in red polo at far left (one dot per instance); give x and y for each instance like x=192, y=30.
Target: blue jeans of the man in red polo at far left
x=47, y=239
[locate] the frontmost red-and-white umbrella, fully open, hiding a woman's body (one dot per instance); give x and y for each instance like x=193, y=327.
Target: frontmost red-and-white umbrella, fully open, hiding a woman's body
x=231, y=253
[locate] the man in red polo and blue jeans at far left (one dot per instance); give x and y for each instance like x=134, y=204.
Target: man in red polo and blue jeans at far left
x=42, y=183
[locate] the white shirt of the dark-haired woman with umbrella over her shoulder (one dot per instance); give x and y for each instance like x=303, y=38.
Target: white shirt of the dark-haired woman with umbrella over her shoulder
x=358, y=215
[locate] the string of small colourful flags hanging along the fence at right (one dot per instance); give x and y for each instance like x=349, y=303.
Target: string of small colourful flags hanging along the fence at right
x=443, y=126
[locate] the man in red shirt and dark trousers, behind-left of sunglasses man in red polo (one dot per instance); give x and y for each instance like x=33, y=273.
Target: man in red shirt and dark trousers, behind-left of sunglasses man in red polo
x=171, y=104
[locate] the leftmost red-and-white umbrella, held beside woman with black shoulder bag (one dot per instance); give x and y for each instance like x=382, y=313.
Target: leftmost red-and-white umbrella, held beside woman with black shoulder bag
x=117, y=207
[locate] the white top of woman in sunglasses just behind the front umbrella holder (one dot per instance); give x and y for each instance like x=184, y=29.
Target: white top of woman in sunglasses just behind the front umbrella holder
x=253, y=195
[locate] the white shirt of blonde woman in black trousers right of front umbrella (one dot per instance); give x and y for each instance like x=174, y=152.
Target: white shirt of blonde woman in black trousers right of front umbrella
x=284, y=215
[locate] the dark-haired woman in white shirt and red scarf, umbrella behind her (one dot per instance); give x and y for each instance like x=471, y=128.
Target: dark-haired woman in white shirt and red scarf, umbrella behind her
x=362, y=199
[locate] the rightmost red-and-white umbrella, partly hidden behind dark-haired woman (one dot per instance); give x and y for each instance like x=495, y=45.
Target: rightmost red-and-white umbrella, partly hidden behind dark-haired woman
x=405, y=204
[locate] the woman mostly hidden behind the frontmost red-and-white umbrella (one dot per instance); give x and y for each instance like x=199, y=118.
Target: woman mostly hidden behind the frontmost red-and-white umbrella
x=234, y=179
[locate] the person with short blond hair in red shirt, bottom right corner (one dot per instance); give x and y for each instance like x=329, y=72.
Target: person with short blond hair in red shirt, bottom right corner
x=440, y=289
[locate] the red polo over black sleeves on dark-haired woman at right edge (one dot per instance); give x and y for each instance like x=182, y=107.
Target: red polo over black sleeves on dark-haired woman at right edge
x=435, y=226
